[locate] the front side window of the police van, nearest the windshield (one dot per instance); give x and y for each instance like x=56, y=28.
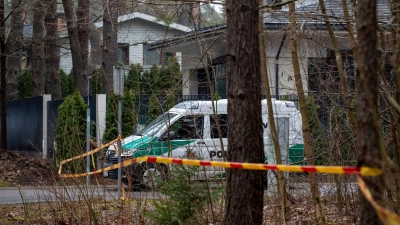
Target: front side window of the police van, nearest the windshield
x=188, y=127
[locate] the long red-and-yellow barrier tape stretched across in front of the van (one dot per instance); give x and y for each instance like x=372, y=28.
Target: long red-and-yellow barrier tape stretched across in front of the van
x=364, y=171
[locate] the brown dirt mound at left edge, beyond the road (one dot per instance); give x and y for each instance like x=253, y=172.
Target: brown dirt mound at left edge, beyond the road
x=20, y=169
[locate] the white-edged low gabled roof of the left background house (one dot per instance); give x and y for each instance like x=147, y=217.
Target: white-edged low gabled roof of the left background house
x=138, y=15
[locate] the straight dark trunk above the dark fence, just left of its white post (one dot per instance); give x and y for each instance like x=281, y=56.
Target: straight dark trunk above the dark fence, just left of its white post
x=38, y=62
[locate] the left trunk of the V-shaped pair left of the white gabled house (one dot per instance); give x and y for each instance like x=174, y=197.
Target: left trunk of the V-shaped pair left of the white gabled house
x=77, y=70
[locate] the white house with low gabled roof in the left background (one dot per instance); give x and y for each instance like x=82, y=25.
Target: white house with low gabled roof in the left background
x=135, y=31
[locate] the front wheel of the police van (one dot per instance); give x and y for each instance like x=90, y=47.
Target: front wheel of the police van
x=150, y=174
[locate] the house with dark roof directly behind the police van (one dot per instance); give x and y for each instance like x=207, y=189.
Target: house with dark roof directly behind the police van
x=204, y=50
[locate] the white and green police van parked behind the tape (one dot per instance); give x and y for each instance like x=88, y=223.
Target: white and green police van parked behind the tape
x=190, y=130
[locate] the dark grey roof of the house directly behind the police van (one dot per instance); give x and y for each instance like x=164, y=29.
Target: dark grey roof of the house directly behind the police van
x=309, y=17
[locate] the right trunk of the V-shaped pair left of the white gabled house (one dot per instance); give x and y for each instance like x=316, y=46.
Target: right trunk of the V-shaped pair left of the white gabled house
x=83, y=28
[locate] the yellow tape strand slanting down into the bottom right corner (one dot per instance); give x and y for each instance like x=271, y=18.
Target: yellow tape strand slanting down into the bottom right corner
x=385, y=215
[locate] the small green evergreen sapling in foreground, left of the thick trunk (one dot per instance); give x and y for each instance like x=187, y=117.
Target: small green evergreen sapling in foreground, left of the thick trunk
x=186, y=199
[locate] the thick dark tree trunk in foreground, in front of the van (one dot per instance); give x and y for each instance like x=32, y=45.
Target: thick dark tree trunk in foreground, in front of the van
x=244, y=192
